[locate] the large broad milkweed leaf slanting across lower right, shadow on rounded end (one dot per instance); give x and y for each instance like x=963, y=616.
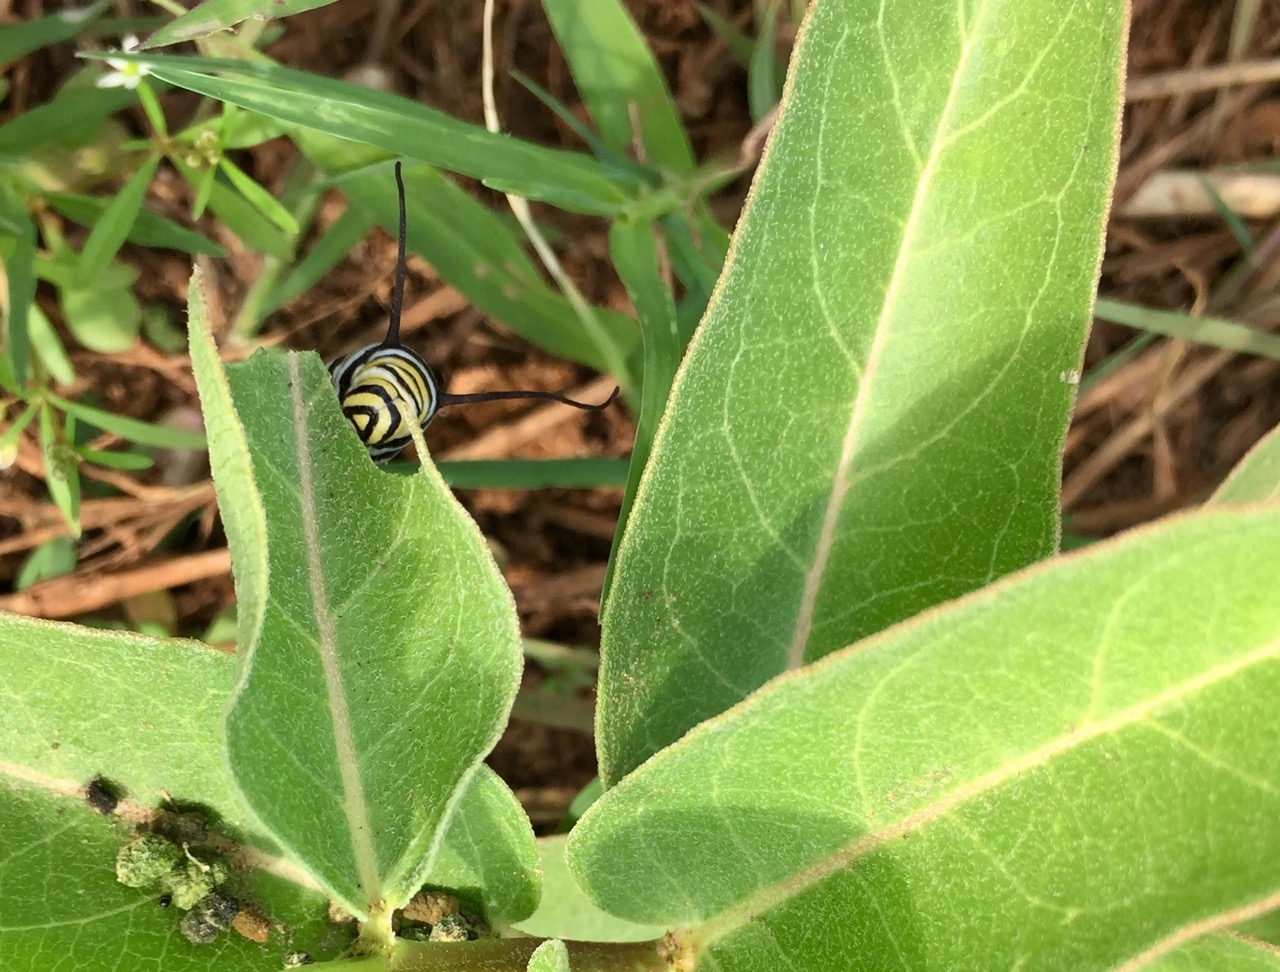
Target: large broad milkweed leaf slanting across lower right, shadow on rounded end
x=1072, y=769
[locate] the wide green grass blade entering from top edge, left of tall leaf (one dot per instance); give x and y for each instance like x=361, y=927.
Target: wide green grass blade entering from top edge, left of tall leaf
x=620, y=81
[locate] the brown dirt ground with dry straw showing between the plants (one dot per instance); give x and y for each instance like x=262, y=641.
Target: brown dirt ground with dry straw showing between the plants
x=1154, y=437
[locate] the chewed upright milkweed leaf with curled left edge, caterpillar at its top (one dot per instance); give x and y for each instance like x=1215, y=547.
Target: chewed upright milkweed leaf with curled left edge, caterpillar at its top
x=380, y=645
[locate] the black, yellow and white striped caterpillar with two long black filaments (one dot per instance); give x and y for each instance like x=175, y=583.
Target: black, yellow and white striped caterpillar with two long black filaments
x=377, y=382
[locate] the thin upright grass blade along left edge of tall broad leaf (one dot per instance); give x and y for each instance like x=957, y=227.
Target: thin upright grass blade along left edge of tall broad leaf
x=637, y=259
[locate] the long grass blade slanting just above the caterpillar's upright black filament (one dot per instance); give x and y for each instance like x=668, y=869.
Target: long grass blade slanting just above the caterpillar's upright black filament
x=396, y=125
